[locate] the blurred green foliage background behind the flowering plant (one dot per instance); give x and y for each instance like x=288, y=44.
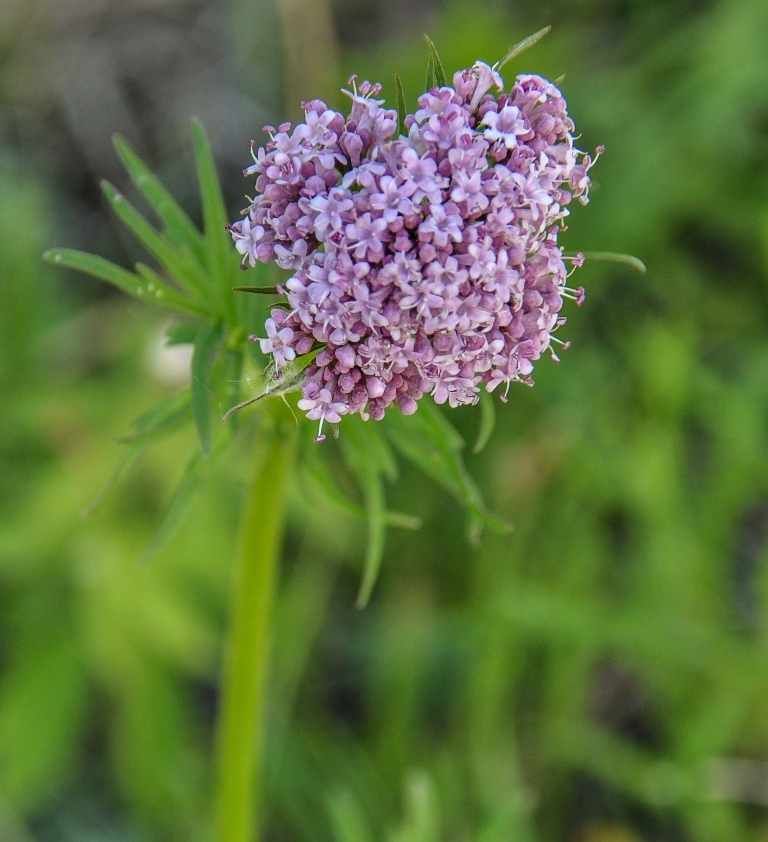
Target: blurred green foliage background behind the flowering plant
x=598, y=675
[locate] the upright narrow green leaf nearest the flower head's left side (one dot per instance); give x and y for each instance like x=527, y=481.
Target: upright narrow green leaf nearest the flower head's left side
x=218, y=242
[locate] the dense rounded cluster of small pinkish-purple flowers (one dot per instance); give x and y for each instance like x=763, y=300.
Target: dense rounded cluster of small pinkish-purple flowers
x=425, y=263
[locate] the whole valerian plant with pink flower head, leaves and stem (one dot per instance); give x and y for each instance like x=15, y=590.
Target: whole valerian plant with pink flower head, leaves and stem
x=424, y=260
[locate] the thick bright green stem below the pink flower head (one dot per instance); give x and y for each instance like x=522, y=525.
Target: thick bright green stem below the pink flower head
x=240, y=726
